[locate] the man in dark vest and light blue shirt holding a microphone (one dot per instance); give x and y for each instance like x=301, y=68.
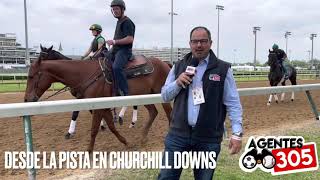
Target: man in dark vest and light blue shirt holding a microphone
x=202, y=97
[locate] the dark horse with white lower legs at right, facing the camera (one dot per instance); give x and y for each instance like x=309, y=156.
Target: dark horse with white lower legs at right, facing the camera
x=276, y=75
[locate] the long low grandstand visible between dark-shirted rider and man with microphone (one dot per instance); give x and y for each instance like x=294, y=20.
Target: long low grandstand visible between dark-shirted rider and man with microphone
x=163, y=53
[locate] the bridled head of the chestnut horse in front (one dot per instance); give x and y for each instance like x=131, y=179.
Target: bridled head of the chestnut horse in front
x=37, y=83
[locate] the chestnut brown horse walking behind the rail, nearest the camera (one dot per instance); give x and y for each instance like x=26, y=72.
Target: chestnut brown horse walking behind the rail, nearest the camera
x=86, y=77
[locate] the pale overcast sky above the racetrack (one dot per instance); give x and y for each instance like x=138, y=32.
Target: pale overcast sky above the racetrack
x=68, y=21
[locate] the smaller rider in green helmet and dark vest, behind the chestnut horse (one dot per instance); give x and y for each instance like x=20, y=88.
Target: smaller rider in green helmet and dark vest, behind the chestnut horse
x=98, y=45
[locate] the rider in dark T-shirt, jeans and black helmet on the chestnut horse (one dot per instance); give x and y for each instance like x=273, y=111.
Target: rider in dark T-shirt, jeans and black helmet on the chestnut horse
x=122, y=42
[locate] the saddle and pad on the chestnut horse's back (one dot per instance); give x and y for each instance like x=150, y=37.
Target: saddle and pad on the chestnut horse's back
x=138, y=65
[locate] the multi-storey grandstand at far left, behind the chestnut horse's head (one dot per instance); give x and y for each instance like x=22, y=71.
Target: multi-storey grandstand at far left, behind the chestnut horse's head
x=12, y=54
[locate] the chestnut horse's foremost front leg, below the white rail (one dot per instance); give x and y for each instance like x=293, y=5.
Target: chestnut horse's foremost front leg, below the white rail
x=96, y=119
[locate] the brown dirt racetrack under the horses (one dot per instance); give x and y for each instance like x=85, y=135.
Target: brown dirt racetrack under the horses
x=49, y=130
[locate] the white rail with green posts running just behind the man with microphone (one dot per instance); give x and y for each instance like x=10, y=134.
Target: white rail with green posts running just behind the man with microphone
x=45, y=107
